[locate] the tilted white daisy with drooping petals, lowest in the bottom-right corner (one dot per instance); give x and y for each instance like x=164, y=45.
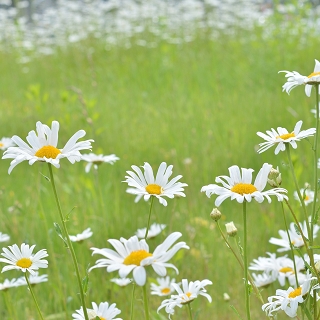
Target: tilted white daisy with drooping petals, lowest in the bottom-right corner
x=288, y=300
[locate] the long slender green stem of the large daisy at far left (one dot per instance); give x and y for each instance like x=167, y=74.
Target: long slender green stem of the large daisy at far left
x=67, y=238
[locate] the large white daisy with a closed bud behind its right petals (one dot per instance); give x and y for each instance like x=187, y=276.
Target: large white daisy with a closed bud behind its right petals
x=239, y=186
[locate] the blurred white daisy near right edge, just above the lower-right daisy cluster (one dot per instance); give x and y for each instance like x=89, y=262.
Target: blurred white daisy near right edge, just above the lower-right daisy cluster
x=296, y=239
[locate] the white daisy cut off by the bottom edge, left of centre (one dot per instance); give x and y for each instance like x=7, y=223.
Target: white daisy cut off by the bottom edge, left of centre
x=103, y=311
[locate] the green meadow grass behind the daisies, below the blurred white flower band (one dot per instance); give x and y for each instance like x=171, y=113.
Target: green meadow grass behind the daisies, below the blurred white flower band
x=204, y=101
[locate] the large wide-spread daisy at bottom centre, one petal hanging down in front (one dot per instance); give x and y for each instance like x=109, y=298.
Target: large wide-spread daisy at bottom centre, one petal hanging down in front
x=133, y=255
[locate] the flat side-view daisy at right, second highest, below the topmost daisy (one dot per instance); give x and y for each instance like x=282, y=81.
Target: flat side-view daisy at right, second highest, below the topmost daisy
x=281, y=137
